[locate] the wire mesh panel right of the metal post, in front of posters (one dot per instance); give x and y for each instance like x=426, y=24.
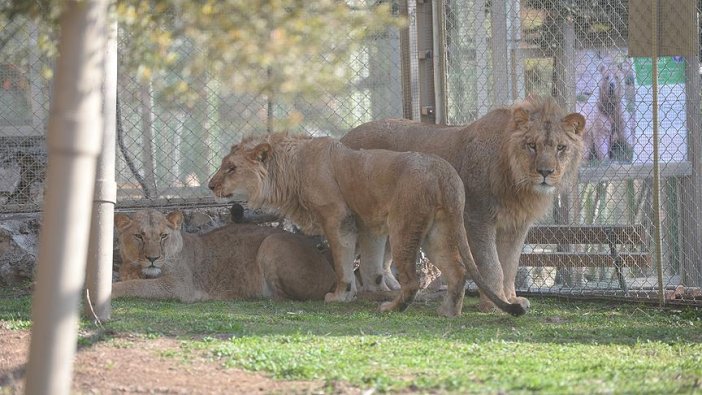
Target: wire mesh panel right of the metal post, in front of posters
x=499, y=52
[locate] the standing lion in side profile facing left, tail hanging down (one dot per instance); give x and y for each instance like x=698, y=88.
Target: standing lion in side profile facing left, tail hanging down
x=348, y=196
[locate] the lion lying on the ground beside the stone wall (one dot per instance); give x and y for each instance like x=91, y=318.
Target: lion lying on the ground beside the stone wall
x=236, y=261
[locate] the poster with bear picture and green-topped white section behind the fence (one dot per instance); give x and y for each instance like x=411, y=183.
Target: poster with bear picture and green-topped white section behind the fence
x=614, y=93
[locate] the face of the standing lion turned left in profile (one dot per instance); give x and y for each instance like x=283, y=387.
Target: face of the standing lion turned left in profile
x=242, y=172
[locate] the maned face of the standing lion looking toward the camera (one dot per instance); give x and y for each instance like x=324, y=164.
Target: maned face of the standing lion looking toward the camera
x=544, y=148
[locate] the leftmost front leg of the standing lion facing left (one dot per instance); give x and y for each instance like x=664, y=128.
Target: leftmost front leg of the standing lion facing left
x=341, y=235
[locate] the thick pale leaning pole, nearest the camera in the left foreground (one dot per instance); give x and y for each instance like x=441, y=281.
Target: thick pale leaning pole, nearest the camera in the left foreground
x=73, y=140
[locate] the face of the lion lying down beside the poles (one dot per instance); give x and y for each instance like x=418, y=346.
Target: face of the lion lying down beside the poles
x=149, y=239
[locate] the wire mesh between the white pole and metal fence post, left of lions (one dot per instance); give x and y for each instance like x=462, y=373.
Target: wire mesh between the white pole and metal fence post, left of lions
x=167, y=150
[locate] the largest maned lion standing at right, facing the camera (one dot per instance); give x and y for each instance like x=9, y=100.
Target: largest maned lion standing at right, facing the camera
x=512, y=162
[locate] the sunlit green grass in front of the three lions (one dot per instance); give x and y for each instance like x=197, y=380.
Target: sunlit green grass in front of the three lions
x=559, y=347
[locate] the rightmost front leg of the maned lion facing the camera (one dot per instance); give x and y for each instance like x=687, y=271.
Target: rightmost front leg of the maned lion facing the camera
x=509, y=248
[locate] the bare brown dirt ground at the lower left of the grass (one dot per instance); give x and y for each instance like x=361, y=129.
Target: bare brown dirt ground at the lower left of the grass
x=134, y=365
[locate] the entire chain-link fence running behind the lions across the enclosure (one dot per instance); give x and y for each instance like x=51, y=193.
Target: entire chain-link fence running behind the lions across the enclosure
x=600, y=238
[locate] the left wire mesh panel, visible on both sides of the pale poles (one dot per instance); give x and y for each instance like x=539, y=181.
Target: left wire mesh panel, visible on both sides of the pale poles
x=169, y=146
